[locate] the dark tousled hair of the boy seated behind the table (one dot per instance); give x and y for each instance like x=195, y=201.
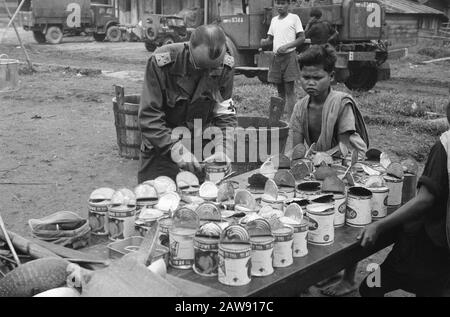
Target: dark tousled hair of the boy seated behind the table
x=316, y=55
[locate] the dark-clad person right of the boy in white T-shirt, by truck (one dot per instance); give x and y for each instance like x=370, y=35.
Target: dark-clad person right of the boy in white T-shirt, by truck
x=320, y=31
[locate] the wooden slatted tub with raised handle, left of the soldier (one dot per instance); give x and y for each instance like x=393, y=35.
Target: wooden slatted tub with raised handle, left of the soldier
x=127, y=129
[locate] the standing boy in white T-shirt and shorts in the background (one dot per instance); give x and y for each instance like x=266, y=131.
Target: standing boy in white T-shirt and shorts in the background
x=285, y=35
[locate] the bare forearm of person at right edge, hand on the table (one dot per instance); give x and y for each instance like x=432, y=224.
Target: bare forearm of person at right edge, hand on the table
x=412, y=210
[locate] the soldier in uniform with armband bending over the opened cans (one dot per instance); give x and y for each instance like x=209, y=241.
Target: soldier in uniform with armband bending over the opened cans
x=185, y=82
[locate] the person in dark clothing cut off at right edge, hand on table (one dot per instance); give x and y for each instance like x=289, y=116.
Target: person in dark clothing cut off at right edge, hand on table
x=419, y=262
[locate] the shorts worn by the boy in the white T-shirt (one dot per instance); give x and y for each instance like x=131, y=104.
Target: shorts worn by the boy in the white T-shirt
x=284, y=68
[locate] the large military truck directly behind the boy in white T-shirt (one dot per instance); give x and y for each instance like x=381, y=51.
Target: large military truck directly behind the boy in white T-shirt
x=362, y=52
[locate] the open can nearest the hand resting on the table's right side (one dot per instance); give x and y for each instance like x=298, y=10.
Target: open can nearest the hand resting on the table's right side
x=359, y=211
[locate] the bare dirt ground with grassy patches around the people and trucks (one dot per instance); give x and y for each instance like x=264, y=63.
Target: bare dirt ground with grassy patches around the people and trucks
x=57, y=133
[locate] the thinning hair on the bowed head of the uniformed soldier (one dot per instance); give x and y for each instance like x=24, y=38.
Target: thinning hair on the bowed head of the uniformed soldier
x=210, y=35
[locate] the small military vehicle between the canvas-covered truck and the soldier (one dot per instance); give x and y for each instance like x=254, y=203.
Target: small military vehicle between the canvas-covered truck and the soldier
x=164, y=29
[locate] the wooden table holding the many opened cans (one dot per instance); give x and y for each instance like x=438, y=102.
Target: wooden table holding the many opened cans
x=320, y=263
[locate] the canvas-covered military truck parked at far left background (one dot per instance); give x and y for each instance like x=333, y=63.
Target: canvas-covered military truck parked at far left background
x=51, y=20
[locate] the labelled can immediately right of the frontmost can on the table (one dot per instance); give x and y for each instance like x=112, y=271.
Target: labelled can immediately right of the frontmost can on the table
x=262, y=255
